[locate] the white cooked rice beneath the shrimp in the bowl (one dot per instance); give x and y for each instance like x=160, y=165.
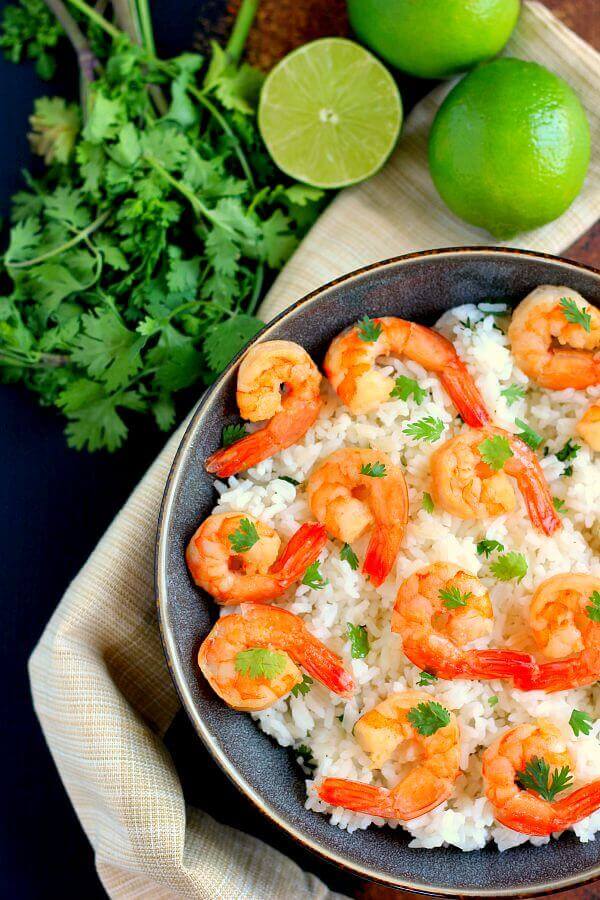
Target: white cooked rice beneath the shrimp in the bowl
x=324, y=721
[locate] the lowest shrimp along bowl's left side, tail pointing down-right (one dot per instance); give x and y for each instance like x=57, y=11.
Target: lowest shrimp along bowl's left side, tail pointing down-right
x=258, y=627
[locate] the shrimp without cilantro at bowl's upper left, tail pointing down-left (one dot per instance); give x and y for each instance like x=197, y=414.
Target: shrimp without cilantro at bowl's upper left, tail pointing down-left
x=278, y=381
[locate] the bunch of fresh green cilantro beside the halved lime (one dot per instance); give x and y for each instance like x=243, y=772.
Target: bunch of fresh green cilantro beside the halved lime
x=137, y=260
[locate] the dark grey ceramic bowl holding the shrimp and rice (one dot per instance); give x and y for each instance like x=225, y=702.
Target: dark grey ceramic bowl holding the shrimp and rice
x=418, y=287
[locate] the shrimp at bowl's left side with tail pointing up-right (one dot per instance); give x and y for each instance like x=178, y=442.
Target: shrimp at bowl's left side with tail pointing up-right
x=254, y=574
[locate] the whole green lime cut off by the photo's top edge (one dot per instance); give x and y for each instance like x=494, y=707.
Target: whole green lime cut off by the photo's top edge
x=434, y=38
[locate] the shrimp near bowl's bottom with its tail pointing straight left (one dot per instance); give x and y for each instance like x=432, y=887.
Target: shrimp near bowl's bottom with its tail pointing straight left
x=380, y=732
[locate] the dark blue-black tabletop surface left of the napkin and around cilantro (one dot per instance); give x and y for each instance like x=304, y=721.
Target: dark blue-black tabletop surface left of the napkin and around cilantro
x=55, y=504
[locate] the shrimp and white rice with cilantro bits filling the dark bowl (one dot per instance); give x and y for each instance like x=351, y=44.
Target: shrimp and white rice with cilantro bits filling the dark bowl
x=360, y=592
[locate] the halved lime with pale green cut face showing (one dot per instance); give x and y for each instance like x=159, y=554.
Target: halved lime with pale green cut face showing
x=330, y=113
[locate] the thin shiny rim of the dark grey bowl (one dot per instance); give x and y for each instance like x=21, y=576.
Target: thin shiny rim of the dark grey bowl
x=167, y=635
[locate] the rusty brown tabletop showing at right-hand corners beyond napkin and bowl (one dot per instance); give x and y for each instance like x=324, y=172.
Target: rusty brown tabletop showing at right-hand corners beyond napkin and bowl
x=583, y=16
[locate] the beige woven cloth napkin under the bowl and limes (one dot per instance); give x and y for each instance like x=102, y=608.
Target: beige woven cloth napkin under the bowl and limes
x=100, y=684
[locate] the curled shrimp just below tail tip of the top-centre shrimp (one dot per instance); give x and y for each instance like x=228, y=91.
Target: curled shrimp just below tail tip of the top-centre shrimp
x=464, y=485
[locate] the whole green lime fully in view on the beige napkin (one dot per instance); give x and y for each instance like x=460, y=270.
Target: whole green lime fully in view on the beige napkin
x=509, y=147
